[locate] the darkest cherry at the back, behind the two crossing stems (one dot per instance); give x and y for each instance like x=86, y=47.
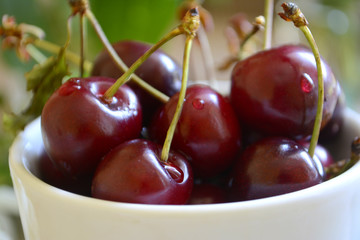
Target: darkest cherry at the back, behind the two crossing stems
x=159, y=70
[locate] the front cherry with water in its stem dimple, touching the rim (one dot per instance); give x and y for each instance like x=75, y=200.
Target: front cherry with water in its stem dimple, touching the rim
x=133, y=172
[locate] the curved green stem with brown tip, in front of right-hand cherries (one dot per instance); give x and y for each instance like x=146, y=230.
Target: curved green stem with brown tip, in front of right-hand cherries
x=293, y=13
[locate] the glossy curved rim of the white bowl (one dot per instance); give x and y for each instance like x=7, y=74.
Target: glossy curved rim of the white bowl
x=19, y=170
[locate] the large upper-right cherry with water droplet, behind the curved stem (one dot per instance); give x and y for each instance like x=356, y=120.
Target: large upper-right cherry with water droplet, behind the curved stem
x=275, y=91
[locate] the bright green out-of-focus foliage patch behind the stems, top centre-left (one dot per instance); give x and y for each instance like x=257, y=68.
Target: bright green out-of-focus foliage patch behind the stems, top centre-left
x=143, y=20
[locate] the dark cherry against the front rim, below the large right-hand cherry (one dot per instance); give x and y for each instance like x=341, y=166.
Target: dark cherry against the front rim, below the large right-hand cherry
x=273, y=166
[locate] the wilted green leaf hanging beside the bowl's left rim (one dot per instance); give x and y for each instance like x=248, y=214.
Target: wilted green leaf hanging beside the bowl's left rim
x=42, y=81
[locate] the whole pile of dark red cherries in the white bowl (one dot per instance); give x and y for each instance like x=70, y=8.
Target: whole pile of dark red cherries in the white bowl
x=250, y=144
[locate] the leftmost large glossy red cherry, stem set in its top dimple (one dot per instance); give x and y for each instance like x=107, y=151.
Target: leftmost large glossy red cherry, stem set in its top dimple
x=79, y=127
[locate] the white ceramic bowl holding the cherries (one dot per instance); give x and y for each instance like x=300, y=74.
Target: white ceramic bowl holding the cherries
x=328, y=211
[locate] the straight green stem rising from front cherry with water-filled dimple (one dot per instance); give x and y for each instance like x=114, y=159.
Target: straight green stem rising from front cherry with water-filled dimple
x=191, y=25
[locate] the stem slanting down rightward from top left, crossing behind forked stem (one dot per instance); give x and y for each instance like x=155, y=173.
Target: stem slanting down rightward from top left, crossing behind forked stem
x=153, y=91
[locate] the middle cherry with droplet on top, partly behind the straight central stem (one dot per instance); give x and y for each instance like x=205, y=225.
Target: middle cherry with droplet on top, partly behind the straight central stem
x=208, y=131
